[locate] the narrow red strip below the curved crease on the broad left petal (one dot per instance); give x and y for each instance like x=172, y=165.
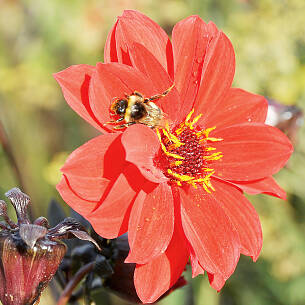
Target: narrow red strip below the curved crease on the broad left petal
x=81, y=206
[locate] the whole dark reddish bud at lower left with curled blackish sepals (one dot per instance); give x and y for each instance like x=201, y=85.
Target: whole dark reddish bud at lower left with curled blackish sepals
x=30, y=253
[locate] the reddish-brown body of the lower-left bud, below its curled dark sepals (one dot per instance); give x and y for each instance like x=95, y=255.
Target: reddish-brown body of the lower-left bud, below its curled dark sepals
x=26, y=270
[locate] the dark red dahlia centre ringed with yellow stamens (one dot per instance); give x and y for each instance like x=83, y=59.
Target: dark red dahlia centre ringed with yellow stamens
x=186, y=153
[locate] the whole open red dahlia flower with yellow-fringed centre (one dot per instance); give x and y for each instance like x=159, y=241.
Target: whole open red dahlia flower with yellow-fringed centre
x=177, y=190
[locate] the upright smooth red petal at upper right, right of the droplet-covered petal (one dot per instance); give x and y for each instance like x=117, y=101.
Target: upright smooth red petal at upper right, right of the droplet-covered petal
x=217, y=76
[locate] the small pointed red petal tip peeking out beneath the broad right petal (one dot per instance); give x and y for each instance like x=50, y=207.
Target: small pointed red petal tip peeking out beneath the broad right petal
x=266, y=186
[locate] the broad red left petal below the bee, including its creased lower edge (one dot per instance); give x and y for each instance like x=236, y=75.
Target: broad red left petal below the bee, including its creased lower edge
x=89, y=170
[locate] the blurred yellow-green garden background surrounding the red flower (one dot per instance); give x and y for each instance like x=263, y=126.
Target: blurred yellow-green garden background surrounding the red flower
x=39, y=130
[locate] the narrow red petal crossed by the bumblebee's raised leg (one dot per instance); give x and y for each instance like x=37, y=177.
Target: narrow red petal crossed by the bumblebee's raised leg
x=143, y=60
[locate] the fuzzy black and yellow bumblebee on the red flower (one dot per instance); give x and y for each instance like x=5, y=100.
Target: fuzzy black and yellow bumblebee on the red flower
x=136, y=109
